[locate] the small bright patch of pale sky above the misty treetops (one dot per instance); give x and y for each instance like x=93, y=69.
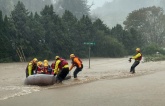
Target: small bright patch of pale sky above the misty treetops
x=98, y=3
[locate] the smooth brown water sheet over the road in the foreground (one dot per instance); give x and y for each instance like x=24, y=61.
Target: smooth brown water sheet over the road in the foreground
x=147, y=90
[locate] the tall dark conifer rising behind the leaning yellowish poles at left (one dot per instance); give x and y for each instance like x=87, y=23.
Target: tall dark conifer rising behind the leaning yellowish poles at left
x=20, y=38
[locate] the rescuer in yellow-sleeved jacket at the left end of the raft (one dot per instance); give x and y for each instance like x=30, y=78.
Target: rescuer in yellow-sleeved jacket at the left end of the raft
x=31, y=67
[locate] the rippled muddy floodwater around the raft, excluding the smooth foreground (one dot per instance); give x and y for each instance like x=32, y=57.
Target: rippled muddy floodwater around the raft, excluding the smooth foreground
x=12, y=75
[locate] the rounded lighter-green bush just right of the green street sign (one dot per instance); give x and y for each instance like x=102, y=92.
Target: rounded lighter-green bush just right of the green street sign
x=107, y=46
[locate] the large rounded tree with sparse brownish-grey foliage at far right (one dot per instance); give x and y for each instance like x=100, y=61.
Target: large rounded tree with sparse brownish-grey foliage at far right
x=150, y=22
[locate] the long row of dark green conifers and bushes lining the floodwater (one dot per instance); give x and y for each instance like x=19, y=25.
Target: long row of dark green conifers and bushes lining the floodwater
x=46, y=35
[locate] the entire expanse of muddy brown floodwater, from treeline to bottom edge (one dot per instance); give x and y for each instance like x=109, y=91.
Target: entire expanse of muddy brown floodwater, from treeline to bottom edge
x=114, y=86
